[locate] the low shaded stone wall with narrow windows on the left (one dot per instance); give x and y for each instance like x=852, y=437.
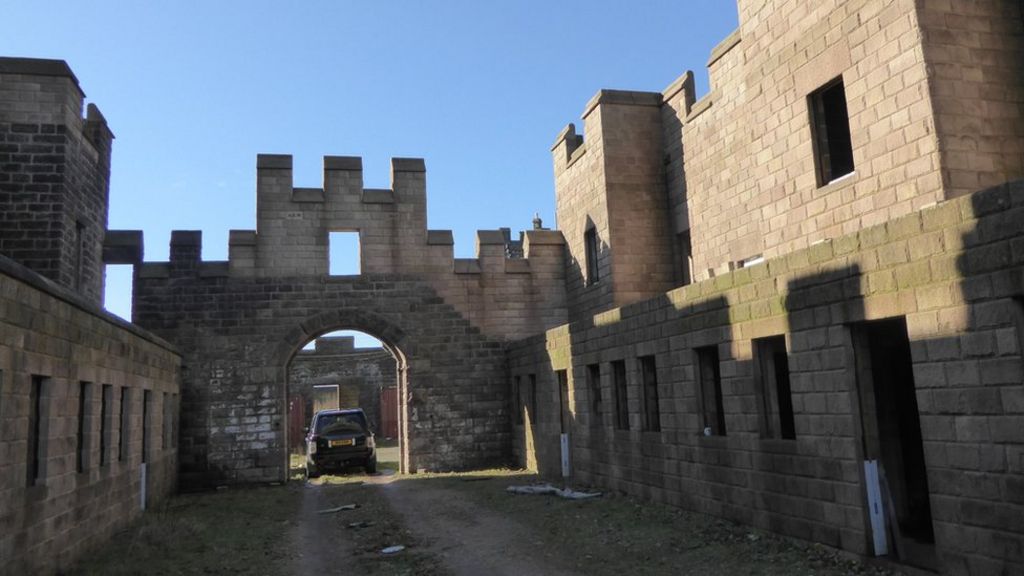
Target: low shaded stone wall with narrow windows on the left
x=71, y=466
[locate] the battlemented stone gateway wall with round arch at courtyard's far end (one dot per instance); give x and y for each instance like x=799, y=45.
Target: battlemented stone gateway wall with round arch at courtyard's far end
x=239, y=323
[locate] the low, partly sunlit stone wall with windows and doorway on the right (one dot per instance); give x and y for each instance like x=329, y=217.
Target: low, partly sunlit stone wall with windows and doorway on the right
x=955, y=272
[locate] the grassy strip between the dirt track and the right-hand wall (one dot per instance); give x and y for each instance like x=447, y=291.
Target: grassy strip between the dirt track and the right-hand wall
x=618, y=536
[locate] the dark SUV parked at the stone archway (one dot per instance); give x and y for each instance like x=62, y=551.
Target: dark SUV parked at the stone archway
x=338, y=439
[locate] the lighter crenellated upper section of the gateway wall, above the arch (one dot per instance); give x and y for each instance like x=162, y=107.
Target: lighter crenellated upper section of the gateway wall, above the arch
x=506, y=292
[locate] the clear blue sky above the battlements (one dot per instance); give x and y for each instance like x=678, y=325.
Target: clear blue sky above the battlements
x=195, y=91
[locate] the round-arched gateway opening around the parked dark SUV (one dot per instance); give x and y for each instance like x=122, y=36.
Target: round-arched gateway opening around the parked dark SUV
x=346, y=369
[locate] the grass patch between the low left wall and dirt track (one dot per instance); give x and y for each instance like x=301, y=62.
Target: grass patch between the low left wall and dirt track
x=237, y=531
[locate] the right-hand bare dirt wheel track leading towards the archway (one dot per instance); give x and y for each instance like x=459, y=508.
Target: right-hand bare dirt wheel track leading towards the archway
x=467, y=540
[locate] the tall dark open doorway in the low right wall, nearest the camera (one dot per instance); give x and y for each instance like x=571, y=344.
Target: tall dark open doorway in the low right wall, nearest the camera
x=892, y=437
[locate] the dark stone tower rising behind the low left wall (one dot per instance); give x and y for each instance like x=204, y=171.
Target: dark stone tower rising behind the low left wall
x=55, y=175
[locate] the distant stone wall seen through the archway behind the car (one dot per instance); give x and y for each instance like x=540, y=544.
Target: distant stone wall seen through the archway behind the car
x=362, y=374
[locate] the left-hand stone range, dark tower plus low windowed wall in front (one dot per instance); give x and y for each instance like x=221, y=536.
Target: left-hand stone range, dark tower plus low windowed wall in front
x=88, y=401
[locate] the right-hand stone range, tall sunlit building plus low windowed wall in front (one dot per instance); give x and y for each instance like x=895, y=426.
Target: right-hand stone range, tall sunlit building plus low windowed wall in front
x=671, y=184
